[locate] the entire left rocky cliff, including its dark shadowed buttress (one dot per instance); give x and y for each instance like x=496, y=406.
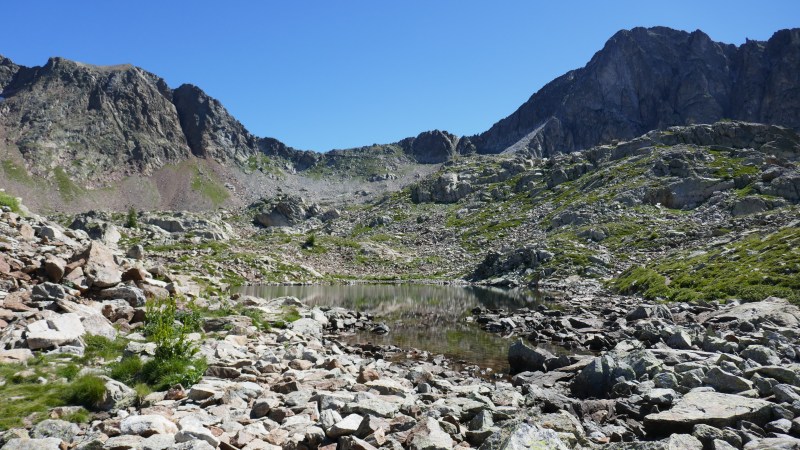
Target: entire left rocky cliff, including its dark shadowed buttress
x=105, y=122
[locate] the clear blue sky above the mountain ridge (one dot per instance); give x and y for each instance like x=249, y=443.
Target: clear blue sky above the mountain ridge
x=336, y=74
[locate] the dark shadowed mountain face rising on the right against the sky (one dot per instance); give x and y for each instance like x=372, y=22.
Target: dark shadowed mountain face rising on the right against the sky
x=645, y=79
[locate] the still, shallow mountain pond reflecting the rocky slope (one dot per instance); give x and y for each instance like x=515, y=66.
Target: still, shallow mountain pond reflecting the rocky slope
x=426, y=317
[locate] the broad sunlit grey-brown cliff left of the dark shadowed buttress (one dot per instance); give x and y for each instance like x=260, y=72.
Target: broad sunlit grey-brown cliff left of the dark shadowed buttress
x=89, y=120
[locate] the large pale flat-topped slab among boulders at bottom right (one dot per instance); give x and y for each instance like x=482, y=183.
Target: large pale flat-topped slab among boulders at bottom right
x=710, y=408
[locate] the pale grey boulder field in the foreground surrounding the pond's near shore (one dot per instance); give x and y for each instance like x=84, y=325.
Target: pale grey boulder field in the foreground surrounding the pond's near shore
x=636, y=376
